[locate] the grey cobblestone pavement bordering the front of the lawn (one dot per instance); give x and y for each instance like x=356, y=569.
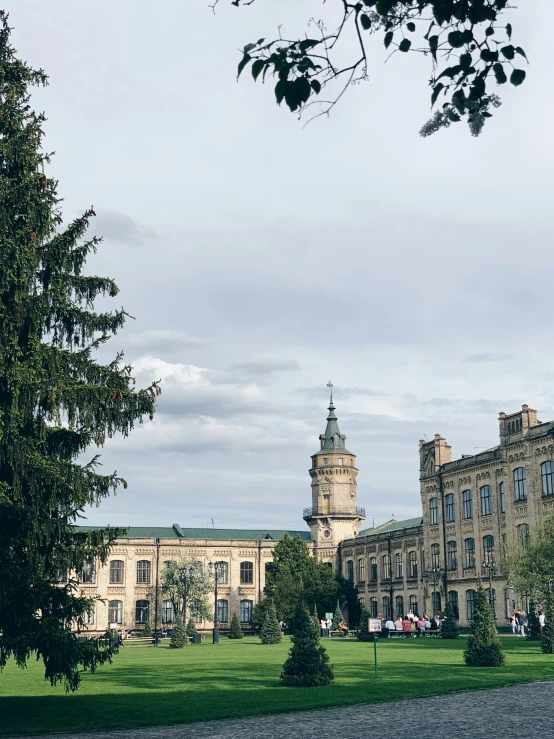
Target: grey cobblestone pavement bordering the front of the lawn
x=518, y=711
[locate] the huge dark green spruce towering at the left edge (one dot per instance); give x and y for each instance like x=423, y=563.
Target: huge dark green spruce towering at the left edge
x=55, y=399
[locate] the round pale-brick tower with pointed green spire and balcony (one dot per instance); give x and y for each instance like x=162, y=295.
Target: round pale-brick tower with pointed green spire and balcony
x=333, y=515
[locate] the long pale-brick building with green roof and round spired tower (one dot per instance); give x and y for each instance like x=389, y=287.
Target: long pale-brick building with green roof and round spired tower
x=472, y=507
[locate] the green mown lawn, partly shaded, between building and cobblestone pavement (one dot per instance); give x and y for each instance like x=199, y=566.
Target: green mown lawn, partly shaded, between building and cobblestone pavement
x=241, y=678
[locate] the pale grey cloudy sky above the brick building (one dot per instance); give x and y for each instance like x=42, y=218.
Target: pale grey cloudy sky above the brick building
x=261, y=259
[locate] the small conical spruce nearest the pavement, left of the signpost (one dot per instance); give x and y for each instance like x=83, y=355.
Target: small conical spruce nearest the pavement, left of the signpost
x=308, y=662
